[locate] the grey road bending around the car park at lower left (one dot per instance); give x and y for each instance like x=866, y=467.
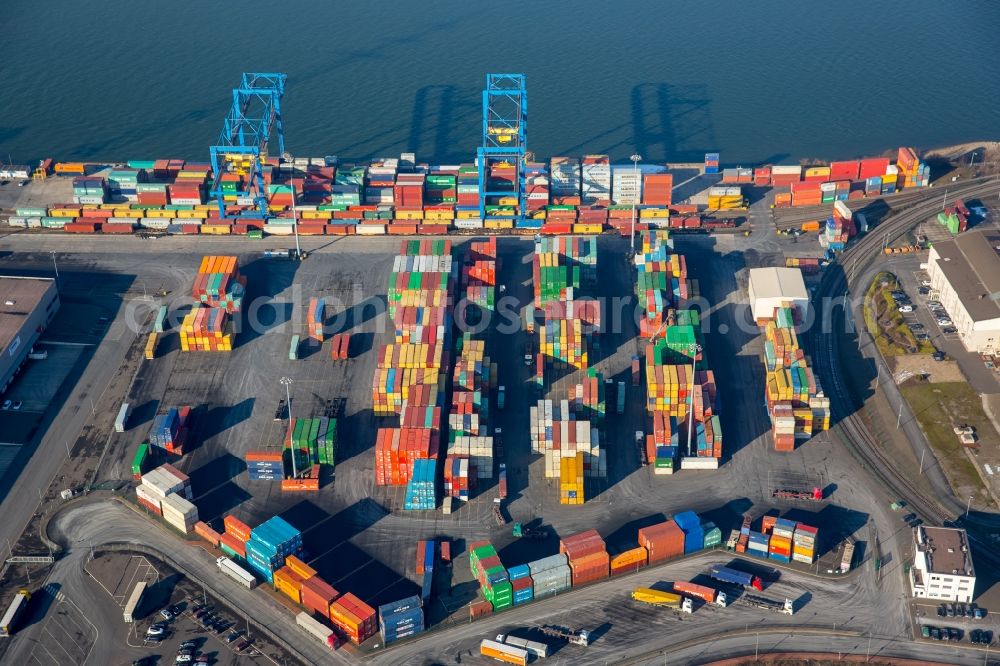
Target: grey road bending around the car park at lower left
x=91, y=524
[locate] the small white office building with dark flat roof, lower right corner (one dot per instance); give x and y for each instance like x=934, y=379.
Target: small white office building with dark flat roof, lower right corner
x=942, y=565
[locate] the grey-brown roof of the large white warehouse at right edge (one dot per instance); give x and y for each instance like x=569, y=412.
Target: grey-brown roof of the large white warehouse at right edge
x=971, y=264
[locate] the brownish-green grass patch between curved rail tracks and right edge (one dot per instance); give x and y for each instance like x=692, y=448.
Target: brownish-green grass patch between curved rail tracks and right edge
x=939, y=408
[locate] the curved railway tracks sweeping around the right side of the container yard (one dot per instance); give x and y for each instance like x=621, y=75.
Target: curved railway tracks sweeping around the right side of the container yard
x=854, y=261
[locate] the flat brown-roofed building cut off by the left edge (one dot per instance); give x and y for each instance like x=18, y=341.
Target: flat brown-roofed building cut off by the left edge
x=27, y=306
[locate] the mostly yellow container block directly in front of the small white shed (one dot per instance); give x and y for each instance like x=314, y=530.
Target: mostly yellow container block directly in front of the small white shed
x=795, y=399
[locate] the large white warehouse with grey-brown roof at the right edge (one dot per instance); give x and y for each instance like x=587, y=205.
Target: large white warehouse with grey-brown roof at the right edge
x=965, y=271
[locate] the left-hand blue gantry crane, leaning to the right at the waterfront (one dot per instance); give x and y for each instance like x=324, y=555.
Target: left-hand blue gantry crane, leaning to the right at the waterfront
x=242, y=148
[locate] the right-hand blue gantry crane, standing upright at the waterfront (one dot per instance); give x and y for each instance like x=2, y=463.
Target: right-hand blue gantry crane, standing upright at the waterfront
x=505, y=118
